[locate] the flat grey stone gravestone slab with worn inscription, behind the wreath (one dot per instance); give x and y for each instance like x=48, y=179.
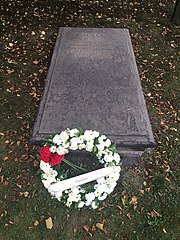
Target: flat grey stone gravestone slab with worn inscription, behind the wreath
x=93, y=83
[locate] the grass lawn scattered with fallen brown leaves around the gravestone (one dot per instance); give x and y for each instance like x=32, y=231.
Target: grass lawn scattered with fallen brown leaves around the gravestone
x=145, y=204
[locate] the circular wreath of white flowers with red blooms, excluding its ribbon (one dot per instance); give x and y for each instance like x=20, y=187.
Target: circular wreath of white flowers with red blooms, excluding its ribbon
x=53, y=166
